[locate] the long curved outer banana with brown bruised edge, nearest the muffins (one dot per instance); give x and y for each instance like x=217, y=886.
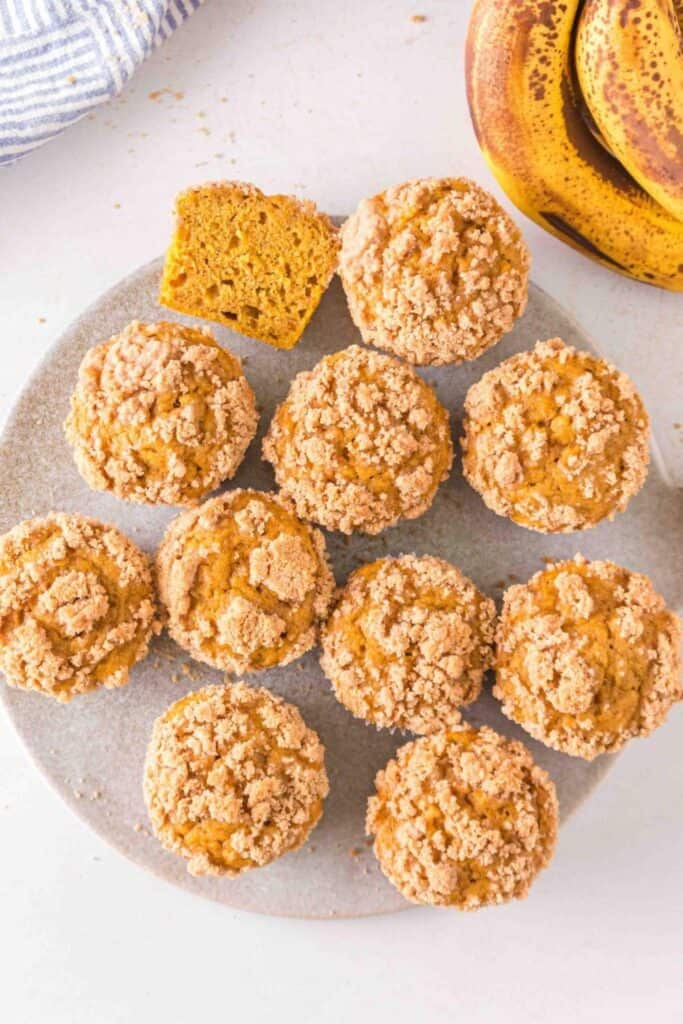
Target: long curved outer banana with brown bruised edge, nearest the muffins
x=528, y=119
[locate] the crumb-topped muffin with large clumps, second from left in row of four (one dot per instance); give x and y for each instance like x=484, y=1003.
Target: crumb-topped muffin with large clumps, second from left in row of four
x=245, y=583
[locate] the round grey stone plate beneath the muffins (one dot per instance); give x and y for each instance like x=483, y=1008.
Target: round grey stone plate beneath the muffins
x=93, y=751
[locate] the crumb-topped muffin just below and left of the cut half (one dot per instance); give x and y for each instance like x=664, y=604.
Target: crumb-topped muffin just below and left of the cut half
x=161, y=415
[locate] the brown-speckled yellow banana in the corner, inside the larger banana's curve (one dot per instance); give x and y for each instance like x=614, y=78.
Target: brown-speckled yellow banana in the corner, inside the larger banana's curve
x=630, y=65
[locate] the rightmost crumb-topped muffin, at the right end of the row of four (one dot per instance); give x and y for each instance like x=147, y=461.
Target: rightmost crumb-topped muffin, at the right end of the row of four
x=588, y=657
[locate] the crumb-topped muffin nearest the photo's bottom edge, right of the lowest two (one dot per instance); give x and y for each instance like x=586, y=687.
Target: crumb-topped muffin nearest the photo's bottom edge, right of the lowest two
x=463, y=820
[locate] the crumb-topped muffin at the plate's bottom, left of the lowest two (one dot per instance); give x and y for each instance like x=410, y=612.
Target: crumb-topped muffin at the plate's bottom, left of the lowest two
x=234, y=779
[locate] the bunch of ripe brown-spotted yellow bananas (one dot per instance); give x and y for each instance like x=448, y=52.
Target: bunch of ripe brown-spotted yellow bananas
x=579, y=111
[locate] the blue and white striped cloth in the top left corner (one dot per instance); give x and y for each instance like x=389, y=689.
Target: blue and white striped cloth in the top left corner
x=59, y=59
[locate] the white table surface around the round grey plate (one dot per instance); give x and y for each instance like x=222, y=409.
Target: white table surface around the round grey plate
x=334, y=101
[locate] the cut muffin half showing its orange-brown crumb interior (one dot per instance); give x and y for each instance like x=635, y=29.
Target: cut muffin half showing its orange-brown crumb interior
x=260, y=265
